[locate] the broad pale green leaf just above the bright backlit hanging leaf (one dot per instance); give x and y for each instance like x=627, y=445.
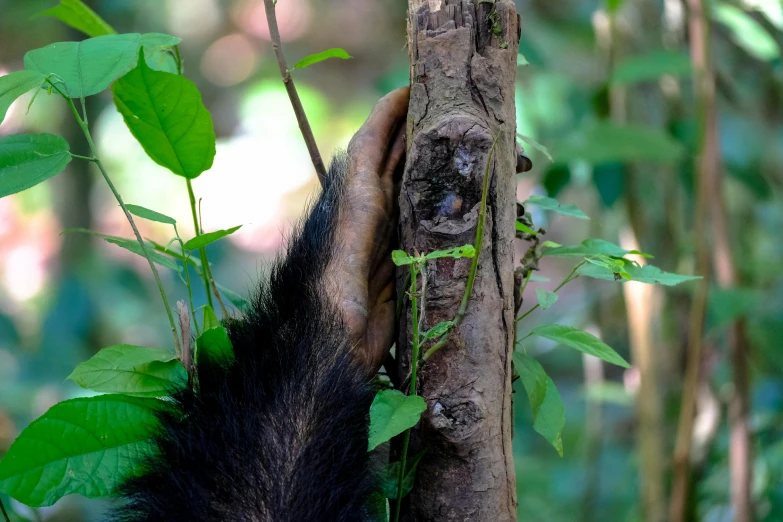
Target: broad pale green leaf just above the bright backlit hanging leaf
x=88, y=67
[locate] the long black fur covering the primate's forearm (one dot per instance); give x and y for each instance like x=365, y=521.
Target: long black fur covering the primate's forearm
x=282, y=435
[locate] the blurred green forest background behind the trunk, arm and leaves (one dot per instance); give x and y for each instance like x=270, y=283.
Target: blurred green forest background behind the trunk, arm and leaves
x=627, y=64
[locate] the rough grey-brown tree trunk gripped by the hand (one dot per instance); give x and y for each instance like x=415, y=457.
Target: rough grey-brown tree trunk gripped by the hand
x=463, y=67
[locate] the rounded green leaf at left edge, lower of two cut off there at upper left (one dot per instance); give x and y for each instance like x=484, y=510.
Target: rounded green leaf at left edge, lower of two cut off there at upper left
x=29, y=159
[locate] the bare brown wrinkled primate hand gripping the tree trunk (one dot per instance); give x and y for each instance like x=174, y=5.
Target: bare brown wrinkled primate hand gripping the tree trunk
x=360, y=275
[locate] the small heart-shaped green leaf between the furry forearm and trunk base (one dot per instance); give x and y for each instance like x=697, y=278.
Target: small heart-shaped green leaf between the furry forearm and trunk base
x=391, y=413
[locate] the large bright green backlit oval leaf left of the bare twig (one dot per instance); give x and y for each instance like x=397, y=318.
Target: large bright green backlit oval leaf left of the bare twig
x=166, y=114
